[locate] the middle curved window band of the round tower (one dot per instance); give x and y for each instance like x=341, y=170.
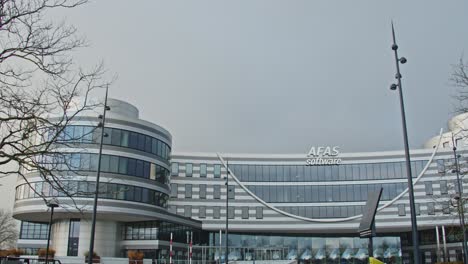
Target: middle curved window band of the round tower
x=109, y=163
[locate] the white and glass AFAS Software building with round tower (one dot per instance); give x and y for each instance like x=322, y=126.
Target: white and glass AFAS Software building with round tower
x=280, y=207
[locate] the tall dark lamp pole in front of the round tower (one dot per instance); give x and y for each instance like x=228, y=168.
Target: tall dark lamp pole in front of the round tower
x=96, y=192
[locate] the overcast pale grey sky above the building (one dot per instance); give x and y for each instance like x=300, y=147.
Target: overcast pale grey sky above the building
x=279, y=76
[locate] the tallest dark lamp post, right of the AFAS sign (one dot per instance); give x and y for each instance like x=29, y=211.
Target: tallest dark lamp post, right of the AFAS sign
x=414, y=226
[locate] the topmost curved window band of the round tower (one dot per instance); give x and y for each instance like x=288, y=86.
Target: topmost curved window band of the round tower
x=117, y=137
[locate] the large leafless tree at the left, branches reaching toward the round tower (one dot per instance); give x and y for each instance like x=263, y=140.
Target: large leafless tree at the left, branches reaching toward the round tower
x=42, y=90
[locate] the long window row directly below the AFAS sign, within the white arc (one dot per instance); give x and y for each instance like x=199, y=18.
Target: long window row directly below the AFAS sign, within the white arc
x=346, y=172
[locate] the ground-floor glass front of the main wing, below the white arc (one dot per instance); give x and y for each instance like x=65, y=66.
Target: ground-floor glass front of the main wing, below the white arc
x=246, y=247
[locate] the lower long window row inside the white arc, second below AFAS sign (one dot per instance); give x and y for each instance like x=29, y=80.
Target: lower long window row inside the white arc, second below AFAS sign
x=329, y=193
